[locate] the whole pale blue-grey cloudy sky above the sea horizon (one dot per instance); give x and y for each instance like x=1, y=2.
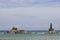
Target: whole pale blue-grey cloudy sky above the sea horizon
x=29, y=14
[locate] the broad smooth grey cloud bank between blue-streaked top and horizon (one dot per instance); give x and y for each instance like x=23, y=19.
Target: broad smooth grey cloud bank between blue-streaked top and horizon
x=29, y=18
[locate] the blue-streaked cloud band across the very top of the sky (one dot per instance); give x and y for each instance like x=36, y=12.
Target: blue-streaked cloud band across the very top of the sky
x=28, y=3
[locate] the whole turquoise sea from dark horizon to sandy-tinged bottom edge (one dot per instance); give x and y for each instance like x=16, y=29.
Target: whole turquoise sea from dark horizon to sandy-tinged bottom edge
x=36, y=35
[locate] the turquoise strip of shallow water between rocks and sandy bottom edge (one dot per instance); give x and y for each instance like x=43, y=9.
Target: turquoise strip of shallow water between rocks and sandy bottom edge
x=41, y=35
